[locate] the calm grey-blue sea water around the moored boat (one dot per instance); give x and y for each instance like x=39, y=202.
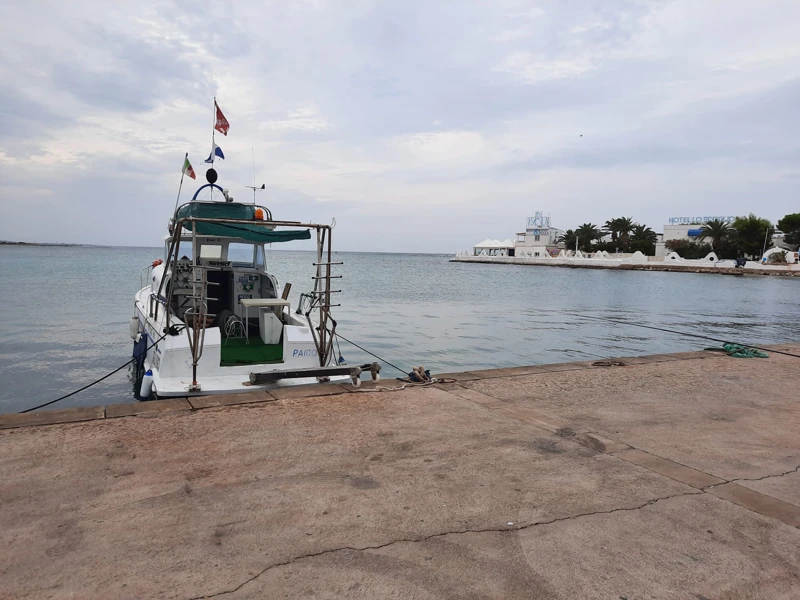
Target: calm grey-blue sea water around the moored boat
x=64, y=314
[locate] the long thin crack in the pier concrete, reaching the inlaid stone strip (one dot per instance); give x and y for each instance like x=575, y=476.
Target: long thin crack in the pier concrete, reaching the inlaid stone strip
x=509, y=529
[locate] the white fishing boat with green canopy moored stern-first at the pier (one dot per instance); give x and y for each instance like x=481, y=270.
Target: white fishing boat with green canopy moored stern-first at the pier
x=212, y=319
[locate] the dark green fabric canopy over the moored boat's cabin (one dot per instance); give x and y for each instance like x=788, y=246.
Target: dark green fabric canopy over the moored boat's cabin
x=239, y=212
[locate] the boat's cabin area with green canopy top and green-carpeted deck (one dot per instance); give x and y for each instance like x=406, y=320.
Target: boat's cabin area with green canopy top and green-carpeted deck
x=217, y=276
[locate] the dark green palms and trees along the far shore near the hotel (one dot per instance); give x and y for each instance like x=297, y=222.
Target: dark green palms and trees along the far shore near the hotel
x=744, y=237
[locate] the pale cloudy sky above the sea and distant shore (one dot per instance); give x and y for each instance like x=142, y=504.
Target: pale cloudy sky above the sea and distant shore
x=420, y=126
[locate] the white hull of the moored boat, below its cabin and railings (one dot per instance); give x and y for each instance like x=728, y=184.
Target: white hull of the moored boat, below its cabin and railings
x=171, y=359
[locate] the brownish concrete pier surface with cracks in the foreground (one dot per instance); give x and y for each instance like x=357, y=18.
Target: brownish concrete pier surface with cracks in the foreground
x=669, y=476
